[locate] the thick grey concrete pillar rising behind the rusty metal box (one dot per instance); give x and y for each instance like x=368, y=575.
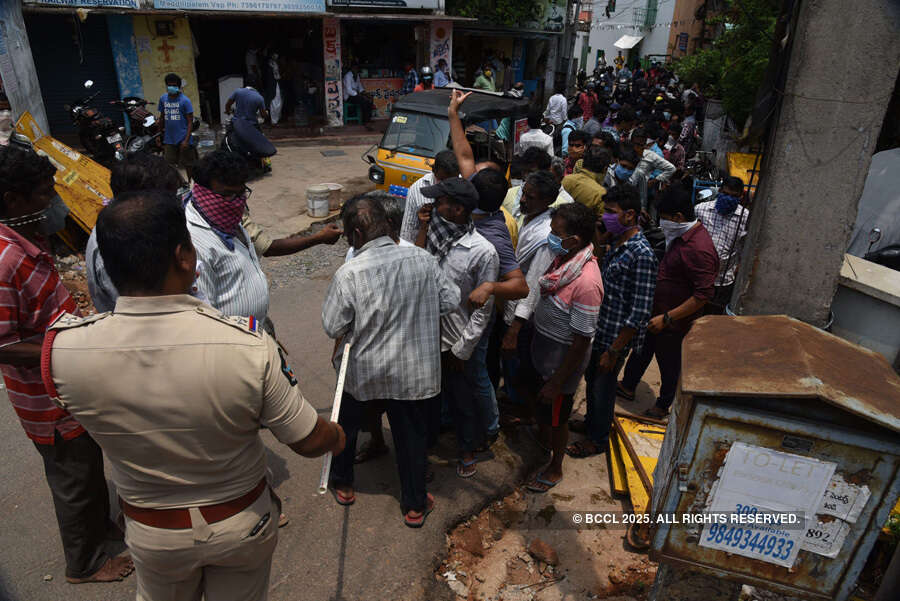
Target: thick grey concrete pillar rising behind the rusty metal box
x=842, y=70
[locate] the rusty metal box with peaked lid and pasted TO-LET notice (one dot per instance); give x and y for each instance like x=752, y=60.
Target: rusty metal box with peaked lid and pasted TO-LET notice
x=786, y=391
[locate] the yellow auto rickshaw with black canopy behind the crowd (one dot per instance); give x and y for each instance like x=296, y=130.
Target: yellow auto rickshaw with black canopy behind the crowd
x=419, y=129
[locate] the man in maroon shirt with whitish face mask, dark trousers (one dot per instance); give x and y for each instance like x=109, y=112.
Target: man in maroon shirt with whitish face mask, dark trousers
x=686, y=282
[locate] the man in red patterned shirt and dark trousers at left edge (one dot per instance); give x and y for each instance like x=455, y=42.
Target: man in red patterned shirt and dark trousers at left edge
x=31, y=297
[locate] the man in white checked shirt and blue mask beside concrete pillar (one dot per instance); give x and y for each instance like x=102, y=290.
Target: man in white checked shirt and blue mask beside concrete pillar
x=726, y=220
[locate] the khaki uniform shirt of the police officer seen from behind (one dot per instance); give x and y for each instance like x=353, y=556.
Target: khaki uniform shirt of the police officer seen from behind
x=175, y=394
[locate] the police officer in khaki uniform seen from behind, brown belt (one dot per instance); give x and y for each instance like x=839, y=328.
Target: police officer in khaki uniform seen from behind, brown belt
x=175, y=393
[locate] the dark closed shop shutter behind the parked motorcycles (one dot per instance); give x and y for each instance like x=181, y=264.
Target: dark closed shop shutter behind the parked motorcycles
x=66, y=53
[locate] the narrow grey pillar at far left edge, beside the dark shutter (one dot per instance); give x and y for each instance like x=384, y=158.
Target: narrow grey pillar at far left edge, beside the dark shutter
x=17, y=65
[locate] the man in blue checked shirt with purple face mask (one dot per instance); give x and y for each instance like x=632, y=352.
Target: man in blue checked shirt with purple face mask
x=629, y=281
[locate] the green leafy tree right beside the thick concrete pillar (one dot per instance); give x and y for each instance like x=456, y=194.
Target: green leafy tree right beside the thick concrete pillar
x=733, y=67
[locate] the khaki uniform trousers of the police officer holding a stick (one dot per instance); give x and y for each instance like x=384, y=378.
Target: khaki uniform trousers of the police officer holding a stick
x=216, y=562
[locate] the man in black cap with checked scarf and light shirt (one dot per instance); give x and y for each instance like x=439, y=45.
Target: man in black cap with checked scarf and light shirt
x=468, y=260
